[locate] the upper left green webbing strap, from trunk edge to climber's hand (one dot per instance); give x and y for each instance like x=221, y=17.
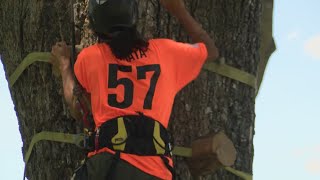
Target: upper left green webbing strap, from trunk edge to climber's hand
x=27, y=61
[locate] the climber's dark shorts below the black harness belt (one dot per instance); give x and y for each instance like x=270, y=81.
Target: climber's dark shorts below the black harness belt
x=103, y=167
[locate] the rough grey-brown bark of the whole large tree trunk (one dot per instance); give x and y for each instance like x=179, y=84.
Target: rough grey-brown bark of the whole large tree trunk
x=209, y=104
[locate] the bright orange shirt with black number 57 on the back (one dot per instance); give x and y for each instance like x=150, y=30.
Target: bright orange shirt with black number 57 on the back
x=146, y=82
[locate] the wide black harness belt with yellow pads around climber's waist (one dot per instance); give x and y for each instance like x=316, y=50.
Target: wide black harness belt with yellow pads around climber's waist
x=134, y=134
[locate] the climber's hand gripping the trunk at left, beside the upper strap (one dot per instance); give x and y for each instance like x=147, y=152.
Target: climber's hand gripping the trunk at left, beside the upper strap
x=61, y=53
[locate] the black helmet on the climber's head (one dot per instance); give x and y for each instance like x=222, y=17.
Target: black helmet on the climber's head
x=106, y=14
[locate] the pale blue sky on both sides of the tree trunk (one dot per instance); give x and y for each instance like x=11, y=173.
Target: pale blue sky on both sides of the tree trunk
x=287, y=134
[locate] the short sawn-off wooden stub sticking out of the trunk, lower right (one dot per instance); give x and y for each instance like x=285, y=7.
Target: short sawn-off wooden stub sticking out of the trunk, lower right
x=211, y=153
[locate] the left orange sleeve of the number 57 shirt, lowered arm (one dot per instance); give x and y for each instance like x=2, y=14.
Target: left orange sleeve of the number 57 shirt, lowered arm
x=81, y=71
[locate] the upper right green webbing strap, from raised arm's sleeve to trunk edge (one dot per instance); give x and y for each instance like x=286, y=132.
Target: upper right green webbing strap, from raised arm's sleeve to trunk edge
x=231, y=72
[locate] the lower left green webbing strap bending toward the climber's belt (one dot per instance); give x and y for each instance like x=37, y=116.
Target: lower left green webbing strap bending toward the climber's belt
x=53, y=136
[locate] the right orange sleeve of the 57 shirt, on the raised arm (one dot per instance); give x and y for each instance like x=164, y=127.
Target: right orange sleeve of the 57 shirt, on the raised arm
x=186, y=60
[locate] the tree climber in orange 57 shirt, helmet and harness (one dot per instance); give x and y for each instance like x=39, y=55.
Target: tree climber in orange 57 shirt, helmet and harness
x=132, y=83
